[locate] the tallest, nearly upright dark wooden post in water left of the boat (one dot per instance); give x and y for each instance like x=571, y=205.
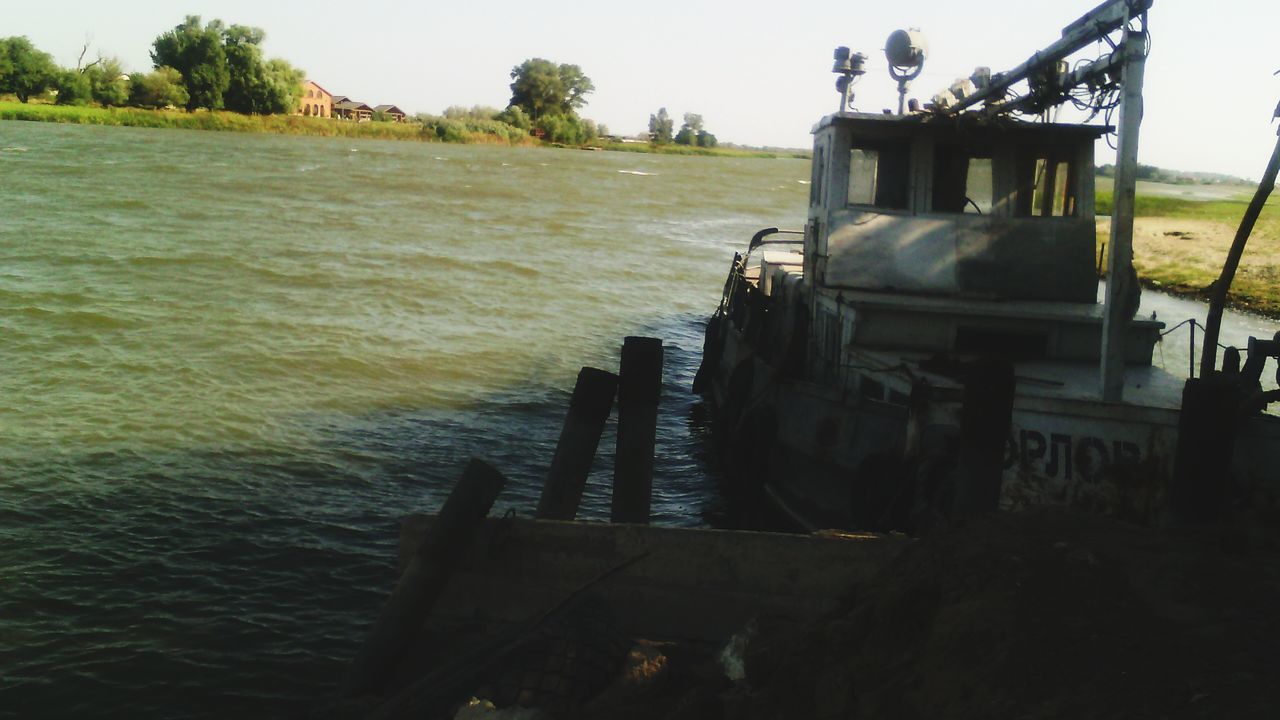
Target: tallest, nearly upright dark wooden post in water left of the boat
x=641, y=386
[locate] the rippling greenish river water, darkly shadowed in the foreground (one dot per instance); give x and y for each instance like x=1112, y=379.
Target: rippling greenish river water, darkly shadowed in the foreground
x=231, y=363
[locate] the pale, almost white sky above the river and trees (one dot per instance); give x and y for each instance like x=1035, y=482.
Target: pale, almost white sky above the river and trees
x=758, y=72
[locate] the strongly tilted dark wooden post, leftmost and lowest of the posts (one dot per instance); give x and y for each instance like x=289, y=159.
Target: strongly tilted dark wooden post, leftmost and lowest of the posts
x=426, y=578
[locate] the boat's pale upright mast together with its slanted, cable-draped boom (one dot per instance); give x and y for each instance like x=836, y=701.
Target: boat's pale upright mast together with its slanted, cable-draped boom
x=1128, y=62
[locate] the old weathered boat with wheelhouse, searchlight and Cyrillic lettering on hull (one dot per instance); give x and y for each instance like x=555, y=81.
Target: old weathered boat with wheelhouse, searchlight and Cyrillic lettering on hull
x=934, y=340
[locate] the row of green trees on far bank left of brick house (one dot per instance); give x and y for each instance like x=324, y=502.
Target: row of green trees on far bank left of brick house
x=196, y=66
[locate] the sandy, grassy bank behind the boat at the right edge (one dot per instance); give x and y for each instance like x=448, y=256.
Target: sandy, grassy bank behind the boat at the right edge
x=1182, y=243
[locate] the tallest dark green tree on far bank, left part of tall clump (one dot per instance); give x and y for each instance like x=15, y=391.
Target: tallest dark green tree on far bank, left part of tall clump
x=199, y=54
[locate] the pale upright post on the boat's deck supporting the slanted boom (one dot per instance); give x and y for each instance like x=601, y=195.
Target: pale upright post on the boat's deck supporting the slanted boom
x=1122, y=288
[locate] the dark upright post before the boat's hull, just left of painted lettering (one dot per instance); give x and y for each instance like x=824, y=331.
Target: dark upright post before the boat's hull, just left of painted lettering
x=986, y=414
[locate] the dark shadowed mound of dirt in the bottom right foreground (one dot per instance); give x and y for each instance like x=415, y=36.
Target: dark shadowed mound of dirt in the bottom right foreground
x=1032, y=616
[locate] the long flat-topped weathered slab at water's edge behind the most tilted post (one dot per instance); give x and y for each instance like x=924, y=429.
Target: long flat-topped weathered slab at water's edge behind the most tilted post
x=693, y=585
